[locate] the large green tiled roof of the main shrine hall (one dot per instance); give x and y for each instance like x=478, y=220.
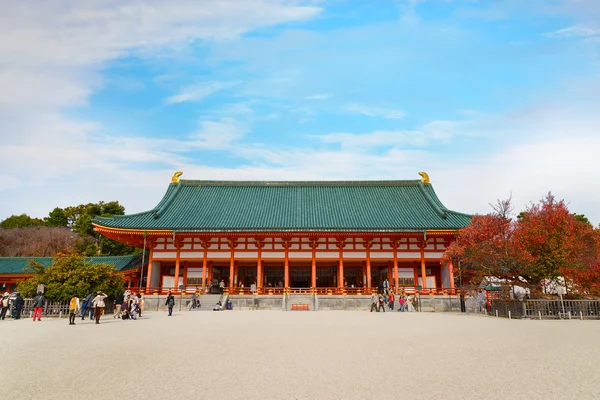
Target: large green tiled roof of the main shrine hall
x=213, y=206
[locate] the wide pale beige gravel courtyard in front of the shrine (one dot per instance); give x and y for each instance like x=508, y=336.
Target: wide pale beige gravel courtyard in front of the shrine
x=300, y=355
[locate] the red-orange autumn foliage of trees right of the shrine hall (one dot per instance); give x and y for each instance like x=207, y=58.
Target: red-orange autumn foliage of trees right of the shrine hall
x=546, y=242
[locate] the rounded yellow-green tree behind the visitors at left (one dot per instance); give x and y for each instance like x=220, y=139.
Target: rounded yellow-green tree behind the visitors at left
x=71, y=274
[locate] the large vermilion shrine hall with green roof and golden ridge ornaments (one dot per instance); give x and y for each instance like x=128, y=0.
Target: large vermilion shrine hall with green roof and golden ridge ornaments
x=322, y=237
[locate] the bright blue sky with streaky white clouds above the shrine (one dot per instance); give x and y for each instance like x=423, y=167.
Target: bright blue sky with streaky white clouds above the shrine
x=106, y=99
